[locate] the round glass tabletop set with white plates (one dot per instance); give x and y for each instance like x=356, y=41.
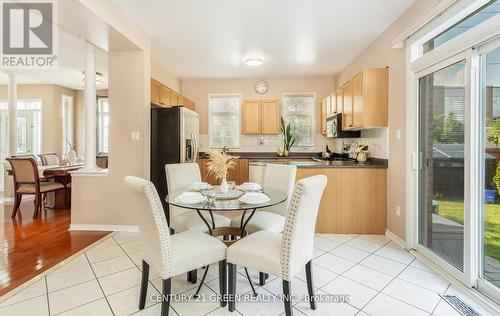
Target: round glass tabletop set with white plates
x=275, y=197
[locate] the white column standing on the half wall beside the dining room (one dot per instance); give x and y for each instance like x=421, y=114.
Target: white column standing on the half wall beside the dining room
x=90, y=108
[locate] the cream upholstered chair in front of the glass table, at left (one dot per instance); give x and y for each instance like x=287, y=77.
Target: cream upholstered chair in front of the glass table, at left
x=169, y=255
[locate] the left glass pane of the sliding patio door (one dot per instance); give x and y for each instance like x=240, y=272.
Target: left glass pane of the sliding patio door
x=441, y=94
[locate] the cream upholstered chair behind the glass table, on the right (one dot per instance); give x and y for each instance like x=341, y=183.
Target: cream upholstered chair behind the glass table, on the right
x=276, y=176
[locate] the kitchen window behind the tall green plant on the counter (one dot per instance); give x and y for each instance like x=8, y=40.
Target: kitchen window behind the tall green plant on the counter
x=298, y=110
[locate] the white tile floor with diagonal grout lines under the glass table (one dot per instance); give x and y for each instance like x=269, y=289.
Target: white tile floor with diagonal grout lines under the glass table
x=379, y=277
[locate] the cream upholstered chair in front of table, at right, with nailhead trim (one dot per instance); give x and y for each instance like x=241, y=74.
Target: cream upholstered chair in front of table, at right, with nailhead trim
x=283, y=254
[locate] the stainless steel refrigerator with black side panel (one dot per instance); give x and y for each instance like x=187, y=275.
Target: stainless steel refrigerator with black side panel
x=174, y=139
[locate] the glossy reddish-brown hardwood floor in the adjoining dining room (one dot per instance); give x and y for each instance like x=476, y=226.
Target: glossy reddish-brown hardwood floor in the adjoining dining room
x=30, y=246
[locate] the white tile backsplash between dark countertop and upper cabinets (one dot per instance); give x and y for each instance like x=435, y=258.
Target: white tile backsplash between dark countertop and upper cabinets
x=376, y=139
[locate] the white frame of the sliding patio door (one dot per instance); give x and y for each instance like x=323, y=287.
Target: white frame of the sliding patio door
x=469, y=44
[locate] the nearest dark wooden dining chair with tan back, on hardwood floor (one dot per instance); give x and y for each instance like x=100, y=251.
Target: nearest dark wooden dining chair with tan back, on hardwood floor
x=27, y=182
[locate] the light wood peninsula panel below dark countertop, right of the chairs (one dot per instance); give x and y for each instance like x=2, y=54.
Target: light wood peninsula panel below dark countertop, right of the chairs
x=354, y=201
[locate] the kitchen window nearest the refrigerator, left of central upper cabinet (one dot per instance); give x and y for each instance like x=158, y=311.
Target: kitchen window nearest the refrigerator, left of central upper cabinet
x=224, y=120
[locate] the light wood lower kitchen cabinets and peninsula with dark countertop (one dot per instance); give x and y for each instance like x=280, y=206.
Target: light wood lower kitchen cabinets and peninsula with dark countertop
x=355, y=198
